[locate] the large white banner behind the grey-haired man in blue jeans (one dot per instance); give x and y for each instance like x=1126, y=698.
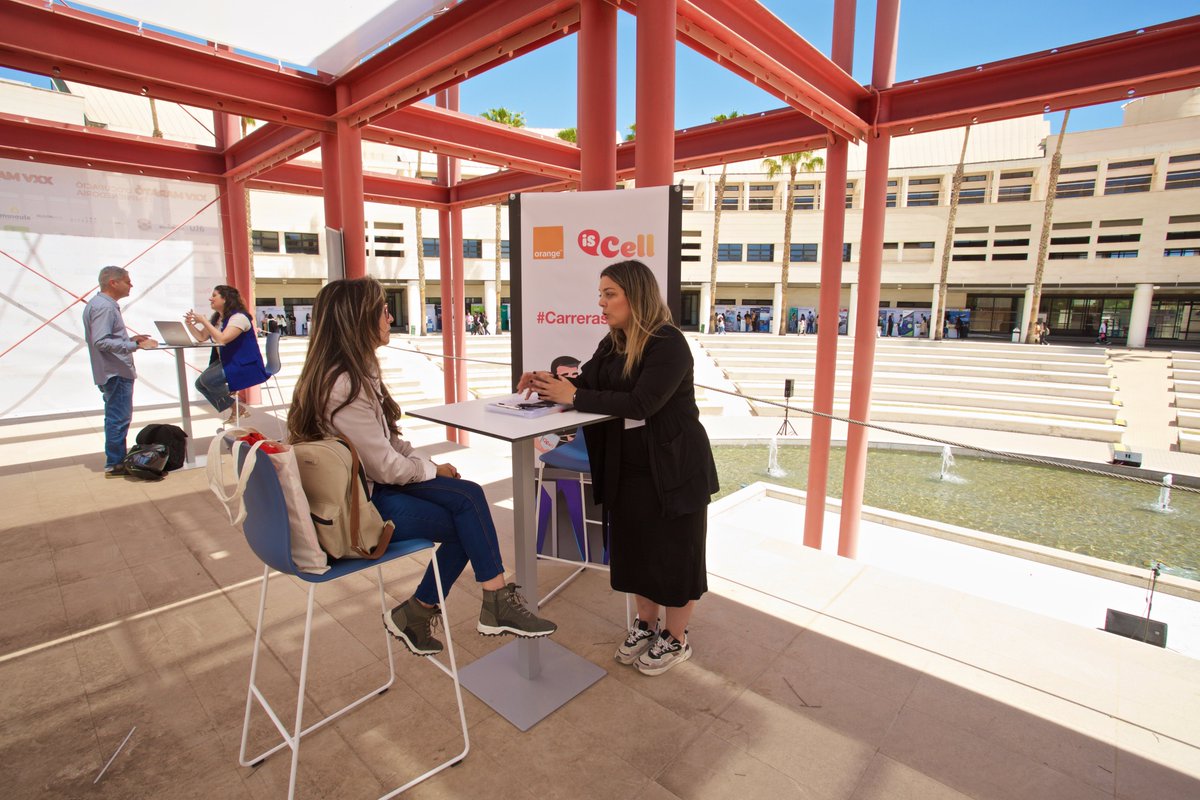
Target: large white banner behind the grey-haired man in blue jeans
x=64, y=224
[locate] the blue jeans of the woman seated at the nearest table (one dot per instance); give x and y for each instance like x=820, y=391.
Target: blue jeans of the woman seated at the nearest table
x=452, y=513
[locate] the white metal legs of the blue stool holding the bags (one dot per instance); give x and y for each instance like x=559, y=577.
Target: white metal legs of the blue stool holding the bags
x=292, y=741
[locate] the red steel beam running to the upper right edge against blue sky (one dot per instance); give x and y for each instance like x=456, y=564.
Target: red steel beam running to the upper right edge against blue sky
x=1148, y=62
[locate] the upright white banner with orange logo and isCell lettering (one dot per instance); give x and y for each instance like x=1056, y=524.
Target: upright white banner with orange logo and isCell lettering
x=565, y=240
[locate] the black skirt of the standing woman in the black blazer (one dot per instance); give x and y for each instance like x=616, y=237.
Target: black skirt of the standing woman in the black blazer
x=650, y=556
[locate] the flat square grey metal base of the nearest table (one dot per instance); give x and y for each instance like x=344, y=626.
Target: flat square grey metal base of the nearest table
x=526, y=702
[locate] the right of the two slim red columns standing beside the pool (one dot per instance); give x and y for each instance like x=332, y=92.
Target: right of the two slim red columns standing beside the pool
x=869, y=270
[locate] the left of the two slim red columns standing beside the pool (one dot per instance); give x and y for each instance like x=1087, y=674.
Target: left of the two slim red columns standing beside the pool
x=829, y=306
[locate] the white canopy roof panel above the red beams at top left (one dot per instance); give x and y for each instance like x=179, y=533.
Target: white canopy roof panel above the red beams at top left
x=332, y=37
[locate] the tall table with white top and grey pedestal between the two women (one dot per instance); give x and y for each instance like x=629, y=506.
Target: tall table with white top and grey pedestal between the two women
x=527, y=679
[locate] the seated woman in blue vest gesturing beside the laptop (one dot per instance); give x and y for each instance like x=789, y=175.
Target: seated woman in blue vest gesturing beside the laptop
x=238, y=363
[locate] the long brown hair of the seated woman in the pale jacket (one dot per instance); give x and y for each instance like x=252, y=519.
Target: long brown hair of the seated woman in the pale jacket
x=344, y=336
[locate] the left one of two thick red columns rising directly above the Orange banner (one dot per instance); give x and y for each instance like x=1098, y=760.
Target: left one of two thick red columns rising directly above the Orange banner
x=597, y=115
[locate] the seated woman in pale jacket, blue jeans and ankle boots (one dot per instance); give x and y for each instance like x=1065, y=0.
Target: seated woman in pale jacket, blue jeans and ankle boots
x=340, y=394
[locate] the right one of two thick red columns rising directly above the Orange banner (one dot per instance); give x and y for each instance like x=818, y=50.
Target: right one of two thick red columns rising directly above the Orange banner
x=655, y=160
